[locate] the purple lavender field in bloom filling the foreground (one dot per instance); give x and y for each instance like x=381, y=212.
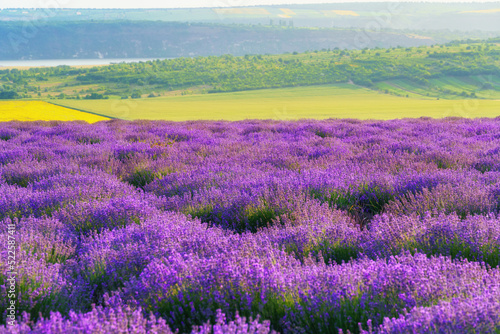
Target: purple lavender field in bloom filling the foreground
x=329, y=226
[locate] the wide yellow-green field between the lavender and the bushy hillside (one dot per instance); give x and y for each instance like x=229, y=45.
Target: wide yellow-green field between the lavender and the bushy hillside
x=315, y=102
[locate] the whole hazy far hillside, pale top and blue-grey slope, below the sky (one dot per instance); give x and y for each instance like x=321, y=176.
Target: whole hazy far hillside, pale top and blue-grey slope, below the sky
x=32, y=34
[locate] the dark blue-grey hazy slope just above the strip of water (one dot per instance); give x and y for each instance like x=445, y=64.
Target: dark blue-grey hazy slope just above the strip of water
x=126, y=39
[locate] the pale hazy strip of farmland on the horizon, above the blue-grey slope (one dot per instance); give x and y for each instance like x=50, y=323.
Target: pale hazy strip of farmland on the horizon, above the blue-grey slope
x=462, y=16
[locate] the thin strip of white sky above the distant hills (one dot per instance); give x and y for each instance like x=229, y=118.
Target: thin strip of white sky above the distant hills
x=168, y=3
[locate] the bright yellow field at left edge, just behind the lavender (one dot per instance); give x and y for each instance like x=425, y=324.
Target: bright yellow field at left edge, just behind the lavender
x=42, y=111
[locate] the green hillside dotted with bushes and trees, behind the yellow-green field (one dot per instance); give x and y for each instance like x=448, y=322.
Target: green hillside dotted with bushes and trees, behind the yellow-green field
x=228, y=73
